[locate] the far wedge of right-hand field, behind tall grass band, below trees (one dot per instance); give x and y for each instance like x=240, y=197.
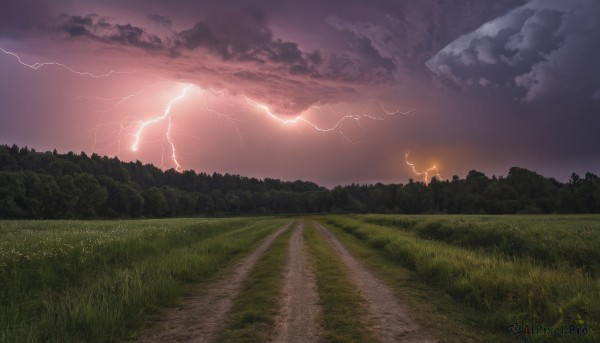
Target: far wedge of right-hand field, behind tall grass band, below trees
x=553, y=240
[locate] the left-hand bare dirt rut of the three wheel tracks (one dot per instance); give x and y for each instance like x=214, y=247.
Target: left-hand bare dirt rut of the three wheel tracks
x=203, y=315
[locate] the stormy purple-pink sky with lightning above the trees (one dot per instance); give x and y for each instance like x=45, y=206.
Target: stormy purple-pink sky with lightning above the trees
x=334, y=92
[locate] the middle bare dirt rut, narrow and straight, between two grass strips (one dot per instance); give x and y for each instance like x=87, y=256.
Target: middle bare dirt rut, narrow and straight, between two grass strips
x=298, y=318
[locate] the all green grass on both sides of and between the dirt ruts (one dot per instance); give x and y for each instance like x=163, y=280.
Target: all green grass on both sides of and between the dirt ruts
x=464, y=278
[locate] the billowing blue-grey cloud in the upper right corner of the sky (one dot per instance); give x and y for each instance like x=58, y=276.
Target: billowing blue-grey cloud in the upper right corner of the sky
x=544, y=52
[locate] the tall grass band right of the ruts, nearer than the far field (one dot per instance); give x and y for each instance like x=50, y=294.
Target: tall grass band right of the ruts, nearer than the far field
x=501, y=289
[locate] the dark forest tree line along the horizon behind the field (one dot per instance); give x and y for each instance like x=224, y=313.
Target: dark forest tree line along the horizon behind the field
x=49, y=185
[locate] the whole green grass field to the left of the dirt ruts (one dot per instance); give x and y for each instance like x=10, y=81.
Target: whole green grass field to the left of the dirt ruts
x=66, y=281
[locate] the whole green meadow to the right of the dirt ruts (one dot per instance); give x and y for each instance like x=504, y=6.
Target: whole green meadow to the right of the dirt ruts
x=525, y=270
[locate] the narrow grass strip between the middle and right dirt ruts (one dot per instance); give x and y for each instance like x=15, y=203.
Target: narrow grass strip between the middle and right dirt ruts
x=343, y=311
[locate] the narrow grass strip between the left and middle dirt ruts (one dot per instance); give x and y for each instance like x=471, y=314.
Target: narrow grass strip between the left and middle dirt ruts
x=252, y=318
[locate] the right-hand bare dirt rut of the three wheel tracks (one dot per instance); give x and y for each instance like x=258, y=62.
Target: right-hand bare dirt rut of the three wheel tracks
x=389, y=320
